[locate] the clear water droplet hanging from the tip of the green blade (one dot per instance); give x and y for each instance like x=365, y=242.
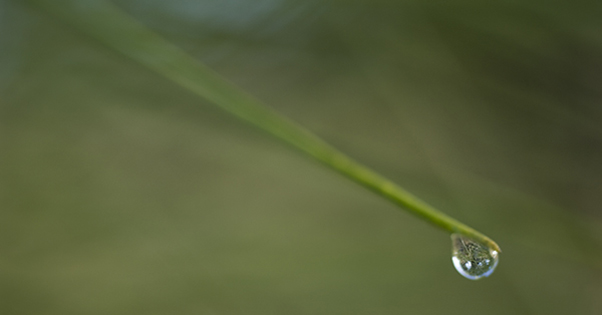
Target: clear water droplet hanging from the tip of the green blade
x=472, y=259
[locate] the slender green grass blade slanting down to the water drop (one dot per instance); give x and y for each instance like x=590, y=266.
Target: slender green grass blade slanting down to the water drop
x=116, y=29
